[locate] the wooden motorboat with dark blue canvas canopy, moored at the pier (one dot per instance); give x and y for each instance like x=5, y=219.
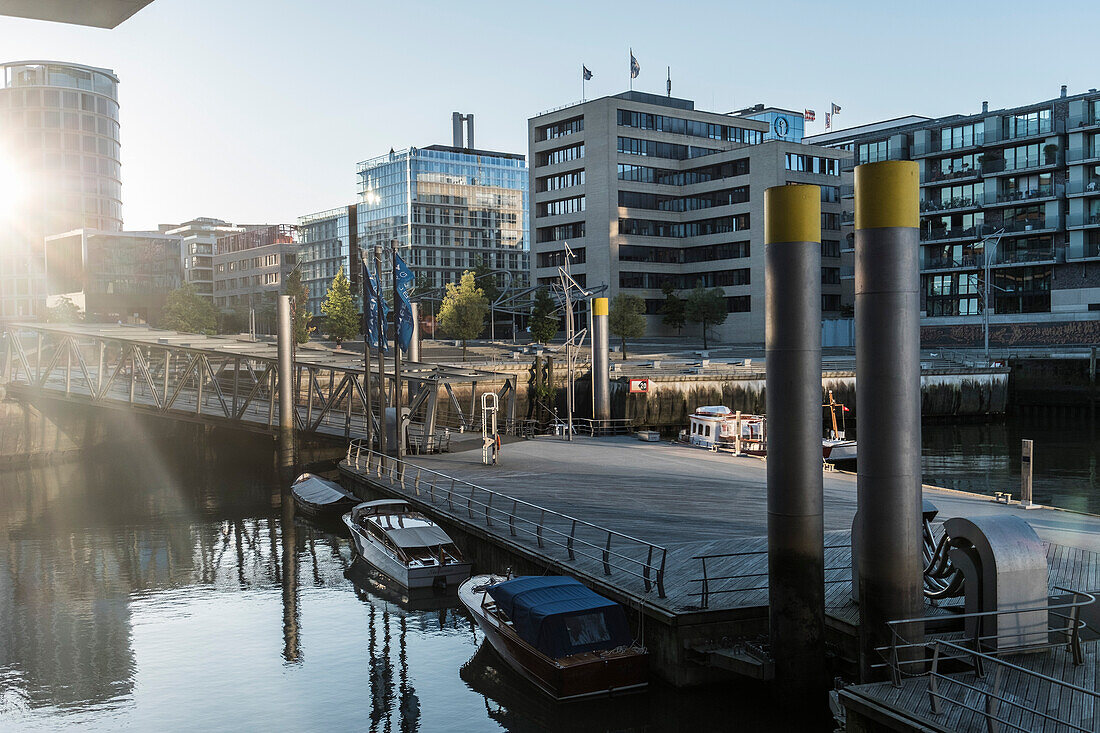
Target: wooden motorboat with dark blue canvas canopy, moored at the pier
x=567, y=640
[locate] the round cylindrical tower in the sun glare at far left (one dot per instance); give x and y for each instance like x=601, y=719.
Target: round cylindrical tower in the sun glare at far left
x=60, y=169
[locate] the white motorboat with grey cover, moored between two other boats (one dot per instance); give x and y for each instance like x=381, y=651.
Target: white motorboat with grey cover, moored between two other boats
x=405, y=545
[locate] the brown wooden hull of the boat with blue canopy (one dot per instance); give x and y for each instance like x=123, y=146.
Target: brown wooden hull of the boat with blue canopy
x=601, y=677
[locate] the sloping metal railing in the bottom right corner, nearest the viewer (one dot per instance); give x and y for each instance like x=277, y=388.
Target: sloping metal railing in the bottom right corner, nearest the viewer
x=993, y=699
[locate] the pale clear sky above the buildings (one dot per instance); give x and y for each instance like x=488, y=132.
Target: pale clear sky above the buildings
x=258, y=112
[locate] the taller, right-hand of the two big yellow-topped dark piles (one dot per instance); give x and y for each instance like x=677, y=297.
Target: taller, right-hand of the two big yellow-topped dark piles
x=888, y=397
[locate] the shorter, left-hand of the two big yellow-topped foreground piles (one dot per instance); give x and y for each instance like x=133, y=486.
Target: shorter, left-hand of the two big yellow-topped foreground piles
x=796, y=531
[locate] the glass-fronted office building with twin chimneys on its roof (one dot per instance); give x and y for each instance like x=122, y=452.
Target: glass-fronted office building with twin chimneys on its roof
x=449, y=209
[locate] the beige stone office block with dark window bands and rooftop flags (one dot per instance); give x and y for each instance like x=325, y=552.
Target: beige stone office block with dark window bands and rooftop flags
x=651, y=193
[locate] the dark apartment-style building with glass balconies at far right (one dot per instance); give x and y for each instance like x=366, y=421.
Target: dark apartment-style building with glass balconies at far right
x=1018, y=189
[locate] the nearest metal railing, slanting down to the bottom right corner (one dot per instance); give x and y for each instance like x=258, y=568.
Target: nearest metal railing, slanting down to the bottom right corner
x=992, y=694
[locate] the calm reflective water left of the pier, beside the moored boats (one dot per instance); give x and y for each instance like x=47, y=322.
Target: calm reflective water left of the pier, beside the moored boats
x=172, y=590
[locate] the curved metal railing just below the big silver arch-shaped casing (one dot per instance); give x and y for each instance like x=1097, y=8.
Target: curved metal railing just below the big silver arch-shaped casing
x=982, y=644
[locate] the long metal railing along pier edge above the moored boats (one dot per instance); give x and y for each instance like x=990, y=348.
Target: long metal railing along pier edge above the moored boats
x=614, y=552
